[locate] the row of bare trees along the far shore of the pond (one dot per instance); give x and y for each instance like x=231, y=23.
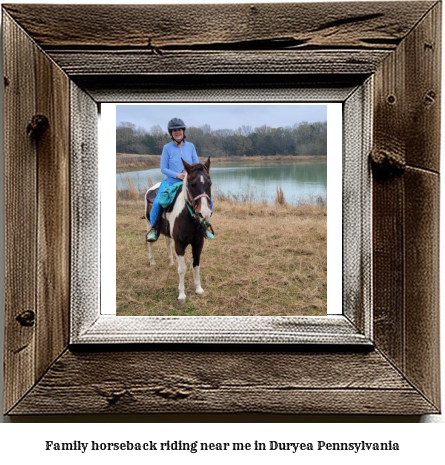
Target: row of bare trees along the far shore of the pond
x=300, y=139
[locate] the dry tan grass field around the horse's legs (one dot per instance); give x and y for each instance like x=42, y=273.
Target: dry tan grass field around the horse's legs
x=264, y=260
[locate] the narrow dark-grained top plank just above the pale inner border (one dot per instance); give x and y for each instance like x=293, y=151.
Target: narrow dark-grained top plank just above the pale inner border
x=214, y=62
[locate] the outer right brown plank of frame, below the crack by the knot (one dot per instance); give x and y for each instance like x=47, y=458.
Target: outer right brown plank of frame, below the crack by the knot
x=422, y=281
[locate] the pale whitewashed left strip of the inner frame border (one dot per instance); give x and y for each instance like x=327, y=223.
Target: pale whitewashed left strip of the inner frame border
x=84, y=204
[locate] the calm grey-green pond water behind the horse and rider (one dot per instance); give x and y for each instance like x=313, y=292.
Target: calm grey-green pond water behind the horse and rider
x=300, y=182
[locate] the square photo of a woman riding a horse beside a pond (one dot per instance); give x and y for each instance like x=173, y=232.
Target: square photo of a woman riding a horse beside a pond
x=235, y=203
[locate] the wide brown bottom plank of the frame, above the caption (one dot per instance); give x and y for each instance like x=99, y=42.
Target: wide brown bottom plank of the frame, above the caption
x=221, y=382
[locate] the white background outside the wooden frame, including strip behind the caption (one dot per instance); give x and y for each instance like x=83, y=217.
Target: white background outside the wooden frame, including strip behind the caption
x=24, y=440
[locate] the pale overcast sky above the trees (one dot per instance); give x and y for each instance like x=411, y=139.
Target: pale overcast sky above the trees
x=220, y=116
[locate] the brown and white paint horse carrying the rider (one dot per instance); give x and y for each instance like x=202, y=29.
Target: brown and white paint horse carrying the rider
x=186, y=222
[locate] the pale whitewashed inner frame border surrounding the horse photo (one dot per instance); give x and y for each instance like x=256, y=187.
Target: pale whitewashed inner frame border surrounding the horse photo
x=354, y=326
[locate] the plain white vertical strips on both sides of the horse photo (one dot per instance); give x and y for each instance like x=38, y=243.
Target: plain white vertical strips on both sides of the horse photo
x=107, y=146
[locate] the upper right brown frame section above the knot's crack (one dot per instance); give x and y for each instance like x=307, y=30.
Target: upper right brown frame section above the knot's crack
x=407, y=113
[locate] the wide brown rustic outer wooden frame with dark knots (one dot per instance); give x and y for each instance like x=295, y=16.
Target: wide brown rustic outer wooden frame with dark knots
x=77, y=56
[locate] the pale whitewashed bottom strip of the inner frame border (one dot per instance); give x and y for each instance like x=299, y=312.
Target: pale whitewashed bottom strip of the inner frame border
x=333, y=329
